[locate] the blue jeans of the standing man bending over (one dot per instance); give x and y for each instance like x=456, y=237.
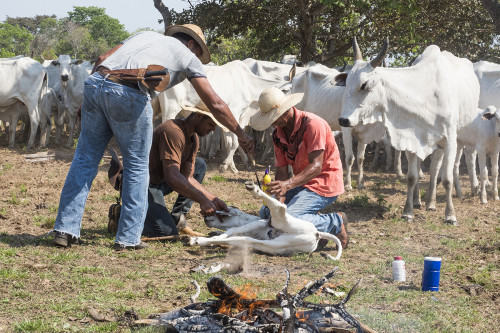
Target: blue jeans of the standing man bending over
x=110, y=109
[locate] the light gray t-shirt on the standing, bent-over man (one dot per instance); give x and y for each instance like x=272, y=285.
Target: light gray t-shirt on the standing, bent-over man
x=151, y=48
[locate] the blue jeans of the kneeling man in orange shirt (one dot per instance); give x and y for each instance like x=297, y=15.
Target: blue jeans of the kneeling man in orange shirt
x=305, y=204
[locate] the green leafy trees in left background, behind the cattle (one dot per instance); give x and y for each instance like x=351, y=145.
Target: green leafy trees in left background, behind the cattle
x=85, y=33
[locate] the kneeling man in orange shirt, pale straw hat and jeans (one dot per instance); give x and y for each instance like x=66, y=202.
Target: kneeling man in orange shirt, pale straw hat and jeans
x=306, y=143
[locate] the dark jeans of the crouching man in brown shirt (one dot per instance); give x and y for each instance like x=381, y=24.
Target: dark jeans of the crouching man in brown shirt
x=159, y=222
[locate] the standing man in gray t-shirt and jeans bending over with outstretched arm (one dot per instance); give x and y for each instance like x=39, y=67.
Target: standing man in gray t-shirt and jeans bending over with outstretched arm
x=114, y=107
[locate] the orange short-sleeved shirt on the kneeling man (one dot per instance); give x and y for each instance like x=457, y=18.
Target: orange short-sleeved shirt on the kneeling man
x=318, y=136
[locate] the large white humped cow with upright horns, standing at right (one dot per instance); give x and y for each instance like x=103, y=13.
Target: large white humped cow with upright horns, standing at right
x=421, y=107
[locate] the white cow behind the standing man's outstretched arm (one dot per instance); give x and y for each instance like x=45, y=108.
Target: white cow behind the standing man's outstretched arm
x=235, y=84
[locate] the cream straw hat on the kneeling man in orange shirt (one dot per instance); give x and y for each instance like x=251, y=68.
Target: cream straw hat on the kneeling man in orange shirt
x=272, y=104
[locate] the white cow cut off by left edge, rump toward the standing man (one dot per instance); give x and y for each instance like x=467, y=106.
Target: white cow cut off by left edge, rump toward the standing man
x=24, y=82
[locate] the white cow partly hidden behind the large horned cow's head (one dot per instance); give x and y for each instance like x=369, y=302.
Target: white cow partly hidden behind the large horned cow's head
x=324, y=98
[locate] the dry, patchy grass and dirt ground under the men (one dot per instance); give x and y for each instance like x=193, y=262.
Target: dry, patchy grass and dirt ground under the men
x=29, y=195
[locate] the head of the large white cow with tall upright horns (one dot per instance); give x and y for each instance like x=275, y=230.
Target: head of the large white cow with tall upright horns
x=364, y=96
